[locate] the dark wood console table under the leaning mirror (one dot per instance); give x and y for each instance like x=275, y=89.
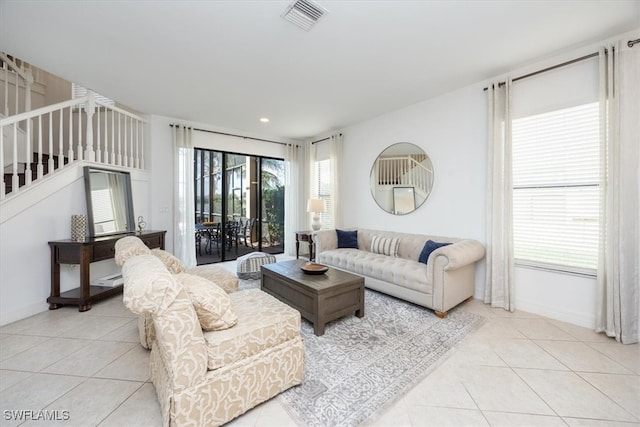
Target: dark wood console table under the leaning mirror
x=84, y=253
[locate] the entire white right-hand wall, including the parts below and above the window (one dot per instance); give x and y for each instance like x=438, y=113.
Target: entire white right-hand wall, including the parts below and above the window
x=451, y=129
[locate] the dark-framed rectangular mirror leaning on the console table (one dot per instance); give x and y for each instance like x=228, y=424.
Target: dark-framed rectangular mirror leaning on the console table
x=109, y=201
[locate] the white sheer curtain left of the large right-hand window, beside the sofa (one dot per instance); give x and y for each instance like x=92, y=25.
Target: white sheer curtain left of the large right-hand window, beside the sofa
x=499, y=258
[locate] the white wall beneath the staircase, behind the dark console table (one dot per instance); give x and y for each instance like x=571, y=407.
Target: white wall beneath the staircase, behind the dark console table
x=25, y=258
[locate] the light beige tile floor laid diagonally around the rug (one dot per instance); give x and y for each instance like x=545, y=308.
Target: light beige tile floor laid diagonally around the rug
x=518, y=369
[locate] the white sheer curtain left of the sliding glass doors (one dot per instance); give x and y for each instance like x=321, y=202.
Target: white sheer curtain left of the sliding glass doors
x=184, y=243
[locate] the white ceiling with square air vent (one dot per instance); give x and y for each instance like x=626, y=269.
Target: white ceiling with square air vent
x=228, y=63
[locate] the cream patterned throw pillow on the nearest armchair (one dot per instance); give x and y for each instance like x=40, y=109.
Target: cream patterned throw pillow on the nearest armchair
x=212, y=303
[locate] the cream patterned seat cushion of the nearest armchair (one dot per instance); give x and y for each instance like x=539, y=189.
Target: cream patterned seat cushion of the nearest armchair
x=263, y=322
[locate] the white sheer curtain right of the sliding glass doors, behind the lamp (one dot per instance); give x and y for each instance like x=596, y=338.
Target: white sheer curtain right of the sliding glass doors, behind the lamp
x=295, y=195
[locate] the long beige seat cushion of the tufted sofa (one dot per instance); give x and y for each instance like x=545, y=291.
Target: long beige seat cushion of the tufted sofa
x=403, y=272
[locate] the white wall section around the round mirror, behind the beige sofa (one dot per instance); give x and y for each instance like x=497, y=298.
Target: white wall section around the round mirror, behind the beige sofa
x=451, y=129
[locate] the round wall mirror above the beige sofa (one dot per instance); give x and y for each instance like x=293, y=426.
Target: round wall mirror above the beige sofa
x=401, y=178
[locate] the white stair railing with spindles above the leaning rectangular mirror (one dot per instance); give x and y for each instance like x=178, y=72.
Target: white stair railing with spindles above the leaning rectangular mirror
x=79, y=129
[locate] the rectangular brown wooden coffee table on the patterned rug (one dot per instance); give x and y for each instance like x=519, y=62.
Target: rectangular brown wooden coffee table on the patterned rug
x=319, y=298
